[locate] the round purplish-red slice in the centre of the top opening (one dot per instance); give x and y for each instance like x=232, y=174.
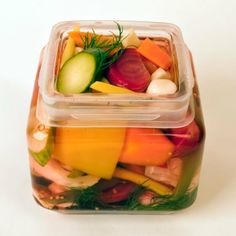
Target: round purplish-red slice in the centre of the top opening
x=129, y=71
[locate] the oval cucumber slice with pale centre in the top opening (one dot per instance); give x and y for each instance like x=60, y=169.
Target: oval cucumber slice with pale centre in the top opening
x=79, y=72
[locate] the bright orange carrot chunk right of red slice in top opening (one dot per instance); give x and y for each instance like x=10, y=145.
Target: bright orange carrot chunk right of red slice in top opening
x=154, y=53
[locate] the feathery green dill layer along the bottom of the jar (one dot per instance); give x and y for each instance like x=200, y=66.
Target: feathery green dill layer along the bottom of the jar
x=88, y=199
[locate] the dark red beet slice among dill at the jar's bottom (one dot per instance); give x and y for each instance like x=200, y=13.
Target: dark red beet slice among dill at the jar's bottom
x=117, y=193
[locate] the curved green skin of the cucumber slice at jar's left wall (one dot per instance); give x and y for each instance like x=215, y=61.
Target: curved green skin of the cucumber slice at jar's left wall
x=42, y=157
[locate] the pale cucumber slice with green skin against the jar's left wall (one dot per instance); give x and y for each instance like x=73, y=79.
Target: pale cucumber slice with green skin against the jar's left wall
x=40, y=139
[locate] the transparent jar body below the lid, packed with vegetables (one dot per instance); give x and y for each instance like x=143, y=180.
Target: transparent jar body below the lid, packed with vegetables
x=123, y=169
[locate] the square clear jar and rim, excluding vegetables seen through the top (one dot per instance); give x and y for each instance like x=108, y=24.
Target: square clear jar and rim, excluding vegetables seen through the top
x=116, y=153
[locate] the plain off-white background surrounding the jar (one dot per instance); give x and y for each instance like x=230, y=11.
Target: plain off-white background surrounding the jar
x=209, y=29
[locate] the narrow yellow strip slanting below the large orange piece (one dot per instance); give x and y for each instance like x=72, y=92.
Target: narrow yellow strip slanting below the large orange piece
x=142, y=180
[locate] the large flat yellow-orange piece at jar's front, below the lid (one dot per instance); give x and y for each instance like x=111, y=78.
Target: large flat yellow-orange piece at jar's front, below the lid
x=94, y=151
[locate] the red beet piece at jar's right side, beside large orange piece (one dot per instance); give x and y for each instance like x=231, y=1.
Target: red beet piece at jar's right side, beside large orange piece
x=185, y=138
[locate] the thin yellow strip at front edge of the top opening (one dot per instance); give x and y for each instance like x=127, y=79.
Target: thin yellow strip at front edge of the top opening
x=104, y=87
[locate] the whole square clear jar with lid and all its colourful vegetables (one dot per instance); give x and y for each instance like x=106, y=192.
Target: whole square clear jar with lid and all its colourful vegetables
x=115, y=121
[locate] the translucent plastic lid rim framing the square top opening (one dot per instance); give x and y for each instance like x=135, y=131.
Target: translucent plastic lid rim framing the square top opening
x=116, y=110
